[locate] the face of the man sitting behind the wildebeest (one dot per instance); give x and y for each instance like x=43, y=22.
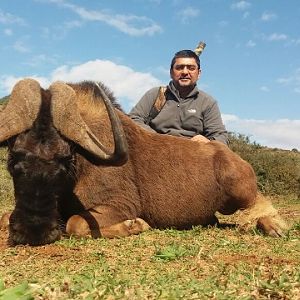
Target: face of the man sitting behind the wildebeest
x=185, y=72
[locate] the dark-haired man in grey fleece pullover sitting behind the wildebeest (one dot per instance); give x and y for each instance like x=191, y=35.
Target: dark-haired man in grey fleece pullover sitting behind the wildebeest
x=188, y=111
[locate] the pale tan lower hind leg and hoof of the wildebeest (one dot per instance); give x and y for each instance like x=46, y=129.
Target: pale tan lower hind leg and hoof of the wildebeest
x=264, y=216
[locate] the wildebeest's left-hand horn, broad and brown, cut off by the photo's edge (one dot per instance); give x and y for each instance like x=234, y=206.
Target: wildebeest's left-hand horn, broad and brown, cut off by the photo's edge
x=21, y=110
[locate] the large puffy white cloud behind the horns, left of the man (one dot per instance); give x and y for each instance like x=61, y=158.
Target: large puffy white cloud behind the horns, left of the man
x=127, y=85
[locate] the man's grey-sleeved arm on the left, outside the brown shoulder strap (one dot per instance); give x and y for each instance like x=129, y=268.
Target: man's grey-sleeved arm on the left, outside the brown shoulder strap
x=140, y=112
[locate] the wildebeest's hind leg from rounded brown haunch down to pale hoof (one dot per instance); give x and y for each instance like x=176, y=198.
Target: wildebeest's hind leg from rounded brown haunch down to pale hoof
x=239, y=182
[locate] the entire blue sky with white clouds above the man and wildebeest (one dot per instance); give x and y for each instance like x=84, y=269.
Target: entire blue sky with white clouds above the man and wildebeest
x=251, y=64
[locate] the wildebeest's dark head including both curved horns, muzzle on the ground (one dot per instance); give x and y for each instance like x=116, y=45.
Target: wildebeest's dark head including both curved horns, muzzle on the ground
x=43, y=129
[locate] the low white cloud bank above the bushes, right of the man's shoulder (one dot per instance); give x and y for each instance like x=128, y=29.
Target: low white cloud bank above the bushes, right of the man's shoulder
x=282, y=133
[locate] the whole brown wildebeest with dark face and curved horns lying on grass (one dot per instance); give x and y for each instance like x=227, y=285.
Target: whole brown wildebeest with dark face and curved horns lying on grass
x=76, y=158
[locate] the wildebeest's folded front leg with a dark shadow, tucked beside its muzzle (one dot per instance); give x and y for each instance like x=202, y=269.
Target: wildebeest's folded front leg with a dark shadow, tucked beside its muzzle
x=96, y=224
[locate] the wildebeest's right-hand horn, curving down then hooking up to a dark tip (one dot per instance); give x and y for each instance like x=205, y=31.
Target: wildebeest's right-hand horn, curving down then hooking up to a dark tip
x=67, y=120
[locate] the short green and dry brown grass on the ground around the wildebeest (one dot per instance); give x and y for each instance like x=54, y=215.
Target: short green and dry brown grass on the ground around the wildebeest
x=202, y=263
